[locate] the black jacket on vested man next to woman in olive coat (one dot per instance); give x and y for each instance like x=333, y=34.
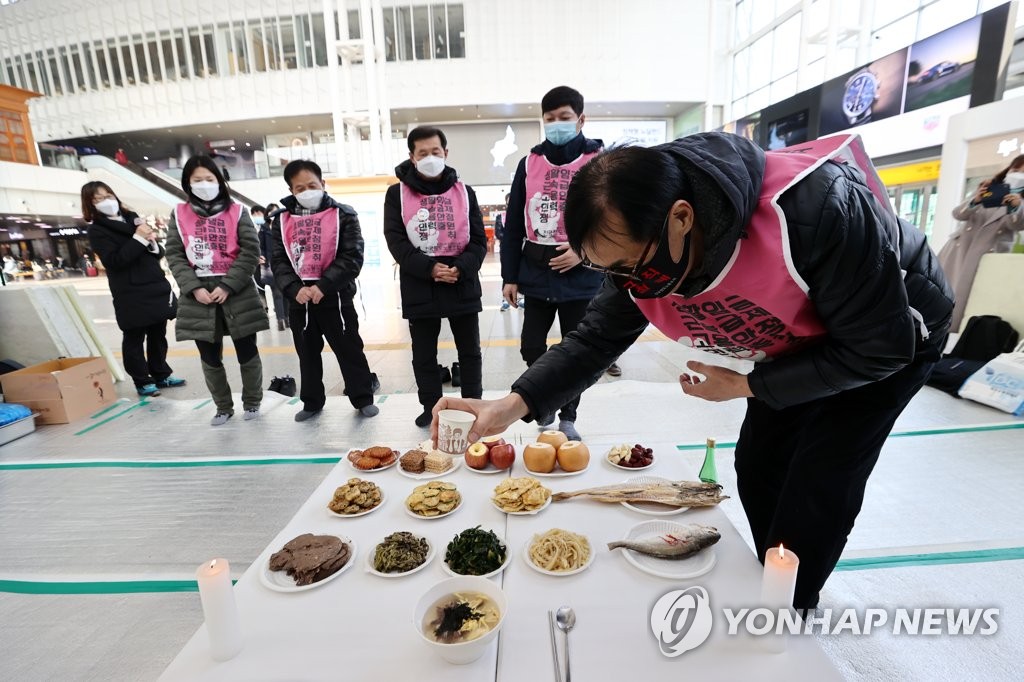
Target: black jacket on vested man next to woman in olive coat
x=339, y=278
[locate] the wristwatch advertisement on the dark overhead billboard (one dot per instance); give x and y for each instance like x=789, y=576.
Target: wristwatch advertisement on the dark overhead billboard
x=870, y=94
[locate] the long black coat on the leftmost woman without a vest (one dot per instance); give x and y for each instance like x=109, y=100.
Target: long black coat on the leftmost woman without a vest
x=141, y=290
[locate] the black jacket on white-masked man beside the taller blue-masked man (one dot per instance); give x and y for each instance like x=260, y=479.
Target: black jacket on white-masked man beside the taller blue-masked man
x=421, y=296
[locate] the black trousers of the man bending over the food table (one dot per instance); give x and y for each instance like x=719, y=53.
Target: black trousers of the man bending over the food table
x=802, y=472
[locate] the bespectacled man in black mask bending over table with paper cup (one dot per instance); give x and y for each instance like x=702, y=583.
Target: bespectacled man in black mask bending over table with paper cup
x=793, y=258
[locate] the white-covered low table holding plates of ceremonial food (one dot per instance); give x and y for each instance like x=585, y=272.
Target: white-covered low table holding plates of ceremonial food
x=359, y=627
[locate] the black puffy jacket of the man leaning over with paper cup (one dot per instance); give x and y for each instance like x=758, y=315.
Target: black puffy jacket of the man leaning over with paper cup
x=851, y=253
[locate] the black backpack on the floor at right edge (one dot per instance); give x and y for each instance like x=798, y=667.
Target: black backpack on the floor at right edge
x=984, y=339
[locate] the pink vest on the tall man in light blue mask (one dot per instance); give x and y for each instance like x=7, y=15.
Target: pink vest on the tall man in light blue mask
x=547, y=186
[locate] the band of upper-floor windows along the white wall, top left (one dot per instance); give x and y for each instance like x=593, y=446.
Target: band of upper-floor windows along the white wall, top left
x=239, y=47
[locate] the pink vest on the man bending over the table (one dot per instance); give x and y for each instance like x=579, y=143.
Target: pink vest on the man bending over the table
x=758, y=308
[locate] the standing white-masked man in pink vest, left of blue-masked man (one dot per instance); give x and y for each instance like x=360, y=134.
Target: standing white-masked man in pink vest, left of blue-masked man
x=435, y=230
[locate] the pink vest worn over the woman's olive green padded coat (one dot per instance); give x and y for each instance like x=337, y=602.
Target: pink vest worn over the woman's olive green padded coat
x=211, y=244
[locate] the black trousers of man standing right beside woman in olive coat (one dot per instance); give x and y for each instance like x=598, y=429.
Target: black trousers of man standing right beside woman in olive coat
x=340, y=326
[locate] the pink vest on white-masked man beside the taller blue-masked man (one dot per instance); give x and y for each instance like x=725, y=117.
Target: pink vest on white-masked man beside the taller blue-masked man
x=438, y=225
